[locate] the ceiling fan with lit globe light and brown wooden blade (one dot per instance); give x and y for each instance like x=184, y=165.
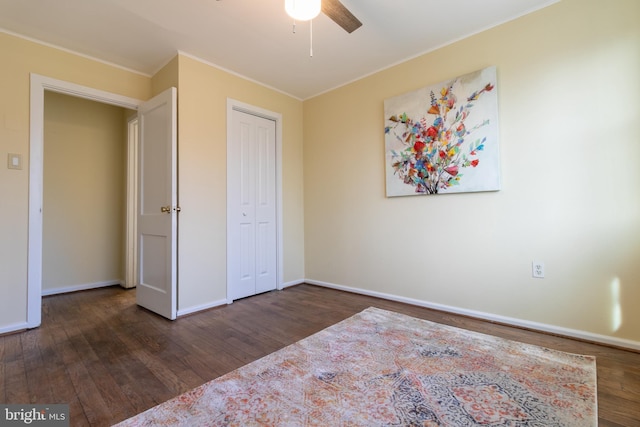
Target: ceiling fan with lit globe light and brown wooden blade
x=304, y=10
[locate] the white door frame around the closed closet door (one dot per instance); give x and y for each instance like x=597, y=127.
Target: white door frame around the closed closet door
x=236, y=105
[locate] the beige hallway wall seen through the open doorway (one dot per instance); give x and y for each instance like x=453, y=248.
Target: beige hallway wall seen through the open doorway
x=84, y=193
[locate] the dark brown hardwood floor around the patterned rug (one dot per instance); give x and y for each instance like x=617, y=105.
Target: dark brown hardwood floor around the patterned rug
x=109, y=359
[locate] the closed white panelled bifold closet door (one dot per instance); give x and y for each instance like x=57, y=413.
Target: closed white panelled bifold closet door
x=251, y=234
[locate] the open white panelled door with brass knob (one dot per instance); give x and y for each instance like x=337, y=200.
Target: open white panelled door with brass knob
x=158, y=205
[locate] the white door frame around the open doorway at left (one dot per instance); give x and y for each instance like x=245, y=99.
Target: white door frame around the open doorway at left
x=39, y=84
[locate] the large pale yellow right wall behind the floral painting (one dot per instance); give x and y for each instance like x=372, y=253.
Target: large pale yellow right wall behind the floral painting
x=569, y=103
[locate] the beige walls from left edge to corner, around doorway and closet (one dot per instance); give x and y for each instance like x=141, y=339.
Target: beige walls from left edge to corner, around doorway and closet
x=203, y=92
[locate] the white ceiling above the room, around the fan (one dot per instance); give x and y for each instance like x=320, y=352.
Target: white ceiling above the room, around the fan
x=254, y=38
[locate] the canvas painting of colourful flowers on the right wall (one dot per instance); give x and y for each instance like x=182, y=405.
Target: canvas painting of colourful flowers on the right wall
x=444, y=138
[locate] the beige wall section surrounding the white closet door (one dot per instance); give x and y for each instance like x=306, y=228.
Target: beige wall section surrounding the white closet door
x=202, y=116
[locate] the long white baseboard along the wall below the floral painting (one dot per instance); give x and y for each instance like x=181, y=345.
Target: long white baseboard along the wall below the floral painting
x=543, y=327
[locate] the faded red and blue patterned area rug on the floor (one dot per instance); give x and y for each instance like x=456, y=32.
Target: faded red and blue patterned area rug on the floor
x=380, y=368
